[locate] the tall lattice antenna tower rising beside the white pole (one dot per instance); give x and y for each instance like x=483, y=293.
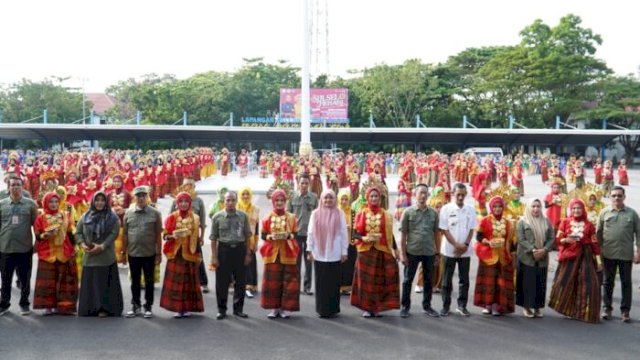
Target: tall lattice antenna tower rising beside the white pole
x=319, y=29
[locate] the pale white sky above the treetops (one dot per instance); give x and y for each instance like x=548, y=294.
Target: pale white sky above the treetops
x=98, y=43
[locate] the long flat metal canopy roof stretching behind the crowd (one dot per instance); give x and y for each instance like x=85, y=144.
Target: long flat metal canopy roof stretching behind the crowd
x=467, y=137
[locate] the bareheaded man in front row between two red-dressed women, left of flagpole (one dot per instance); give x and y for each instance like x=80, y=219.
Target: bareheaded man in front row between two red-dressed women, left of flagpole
x=231, y=246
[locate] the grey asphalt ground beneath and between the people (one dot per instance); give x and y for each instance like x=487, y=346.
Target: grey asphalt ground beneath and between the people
x=305, y=336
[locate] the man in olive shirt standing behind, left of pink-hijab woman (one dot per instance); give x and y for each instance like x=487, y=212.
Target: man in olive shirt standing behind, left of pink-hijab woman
x=301, y=205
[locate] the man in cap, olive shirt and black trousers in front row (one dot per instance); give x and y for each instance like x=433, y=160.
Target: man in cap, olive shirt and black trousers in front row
x=142, y=248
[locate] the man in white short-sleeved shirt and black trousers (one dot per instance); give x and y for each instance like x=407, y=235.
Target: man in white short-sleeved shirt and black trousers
x=457, y=223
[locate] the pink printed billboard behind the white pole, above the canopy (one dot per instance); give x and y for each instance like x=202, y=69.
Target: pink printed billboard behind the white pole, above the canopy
x=326, y=104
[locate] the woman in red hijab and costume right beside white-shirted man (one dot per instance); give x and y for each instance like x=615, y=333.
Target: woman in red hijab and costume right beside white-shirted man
x=494, y=281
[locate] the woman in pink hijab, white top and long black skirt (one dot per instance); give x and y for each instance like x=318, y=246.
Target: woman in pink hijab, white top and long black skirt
x=327, y=245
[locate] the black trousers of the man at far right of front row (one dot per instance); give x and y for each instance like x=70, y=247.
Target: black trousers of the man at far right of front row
x=611, y=267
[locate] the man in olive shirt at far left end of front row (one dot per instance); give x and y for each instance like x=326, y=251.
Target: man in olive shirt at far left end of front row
x=17, y=216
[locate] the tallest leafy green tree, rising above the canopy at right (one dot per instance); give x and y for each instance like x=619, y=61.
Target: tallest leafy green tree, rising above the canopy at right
x=551, y=72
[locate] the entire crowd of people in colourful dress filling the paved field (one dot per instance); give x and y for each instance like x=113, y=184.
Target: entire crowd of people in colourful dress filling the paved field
x=91, y=210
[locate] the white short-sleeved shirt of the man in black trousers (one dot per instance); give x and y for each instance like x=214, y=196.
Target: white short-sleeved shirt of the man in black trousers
x=459, y=221
